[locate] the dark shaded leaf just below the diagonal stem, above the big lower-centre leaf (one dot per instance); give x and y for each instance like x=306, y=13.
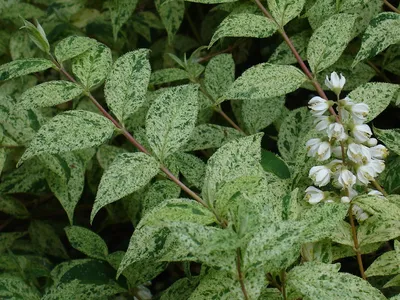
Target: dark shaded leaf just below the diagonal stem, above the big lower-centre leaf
x=158, y=192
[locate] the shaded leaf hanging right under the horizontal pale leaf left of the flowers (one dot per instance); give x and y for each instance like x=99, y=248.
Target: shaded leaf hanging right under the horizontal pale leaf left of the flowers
x=260, y=113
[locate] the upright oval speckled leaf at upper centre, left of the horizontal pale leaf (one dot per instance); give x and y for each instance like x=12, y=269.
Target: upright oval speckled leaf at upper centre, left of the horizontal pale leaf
x=219, y=74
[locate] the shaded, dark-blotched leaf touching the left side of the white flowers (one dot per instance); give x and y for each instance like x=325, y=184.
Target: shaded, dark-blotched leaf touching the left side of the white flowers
x=292, y=133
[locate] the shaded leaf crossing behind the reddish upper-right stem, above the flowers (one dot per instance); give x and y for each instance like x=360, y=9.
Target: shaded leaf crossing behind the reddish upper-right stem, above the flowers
x=284, y=56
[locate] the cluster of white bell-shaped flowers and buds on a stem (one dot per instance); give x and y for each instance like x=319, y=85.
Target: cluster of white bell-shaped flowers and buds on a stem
x=357, y=157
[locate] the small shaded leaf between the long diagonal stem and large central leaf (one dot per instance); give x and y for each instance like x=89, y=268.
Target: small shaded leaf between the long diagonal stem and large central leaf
x=192, y=168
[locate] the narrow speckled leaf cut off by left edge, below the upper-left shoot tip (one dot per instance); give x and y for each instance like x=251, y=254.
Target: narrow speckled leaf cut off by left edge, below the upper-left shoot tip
x=21, y=67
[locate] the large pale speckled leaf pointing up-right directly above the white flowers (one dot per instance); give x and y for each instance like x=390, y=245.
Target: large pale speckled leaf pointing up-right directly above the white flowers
x=329, y=41
